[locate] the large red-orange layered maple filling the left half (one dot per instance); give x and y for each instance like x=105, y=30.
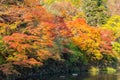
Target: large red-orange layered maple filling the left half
x=31, y=36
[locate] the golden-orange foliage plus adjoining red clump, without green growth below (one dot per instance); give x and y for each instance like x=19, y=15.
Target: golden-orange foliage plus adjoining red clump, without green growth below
x=92, y=40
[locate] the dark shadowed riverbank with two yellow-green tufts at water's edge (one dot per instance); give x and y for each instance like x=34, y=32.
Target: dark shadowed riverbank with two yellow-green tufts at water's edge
x=53, y=67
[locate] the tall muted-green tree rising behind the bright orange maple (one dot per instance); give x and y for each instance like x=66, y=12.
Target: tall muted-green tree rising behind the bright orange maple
x=95, y=12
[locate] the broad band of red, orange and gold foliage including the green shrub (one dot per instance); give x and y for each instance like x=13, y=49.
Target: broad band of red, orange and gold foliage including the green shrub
x=30, y=36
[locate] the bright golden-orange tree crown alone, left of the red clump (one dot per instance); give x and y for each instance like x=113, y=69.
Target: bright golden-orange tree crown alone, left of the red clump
x=85, y=37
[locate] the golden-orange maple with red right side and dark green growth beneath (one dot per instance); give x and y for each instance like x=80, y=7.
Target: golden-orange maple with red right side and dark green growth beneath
x=93, y=42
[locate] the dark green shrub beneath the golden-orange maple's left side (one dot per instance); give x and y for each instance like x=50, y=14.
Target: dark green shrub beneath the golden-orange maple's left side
x=75, y=54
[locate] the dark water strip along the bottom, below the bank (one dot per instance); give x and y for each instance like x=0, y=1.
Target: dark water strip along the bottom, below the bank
x=80, y=76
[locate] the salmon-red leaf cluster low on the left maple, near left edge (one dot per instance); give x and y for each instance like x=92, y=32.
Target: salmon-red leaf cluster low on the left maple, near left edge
x=19, y=42
